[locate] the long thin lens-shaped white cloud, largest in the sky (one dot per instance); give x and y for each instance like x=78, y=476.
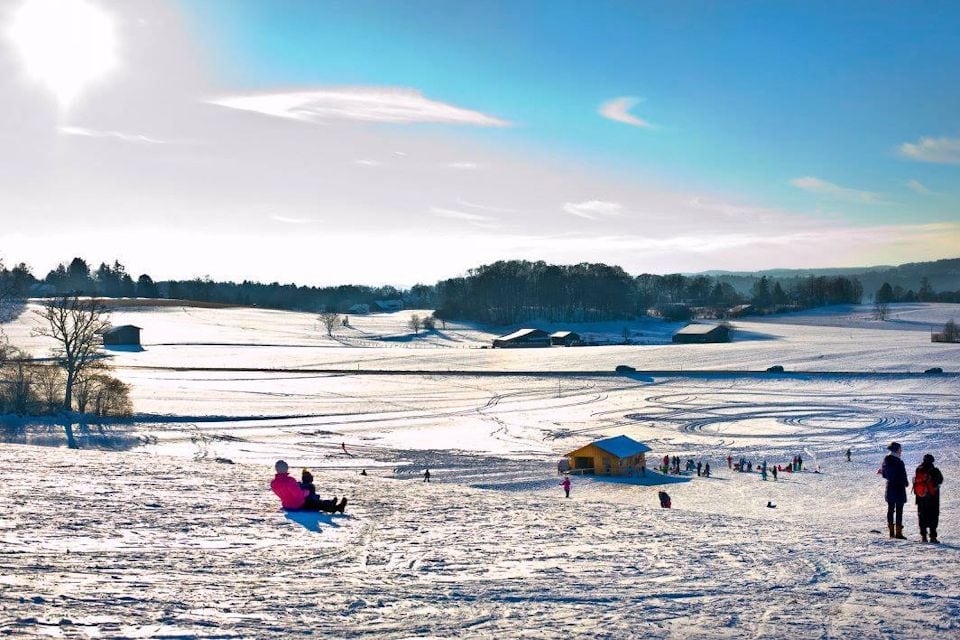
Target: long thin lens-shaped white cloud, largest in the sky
x=366, y=104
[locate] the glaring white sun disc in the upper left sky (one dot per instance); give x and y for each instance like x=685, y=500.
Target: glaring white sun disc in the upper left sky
x=64, y=44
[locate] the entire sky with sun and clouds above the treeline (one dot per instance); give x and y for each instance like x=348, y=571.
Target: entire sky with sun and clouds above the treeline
x=661, y=136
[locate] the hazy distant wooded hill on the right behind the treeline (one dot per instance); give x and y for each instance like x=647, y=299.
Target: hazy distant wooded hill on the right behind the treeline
x=944, y=275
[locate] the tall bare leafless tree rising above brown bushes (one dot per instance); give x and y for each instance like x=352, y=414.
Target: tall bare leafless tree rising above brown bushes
x=75, y=324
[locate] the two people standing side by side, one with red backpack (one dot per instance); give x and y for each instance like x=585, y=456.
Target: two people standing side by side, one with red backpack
x=926, y=487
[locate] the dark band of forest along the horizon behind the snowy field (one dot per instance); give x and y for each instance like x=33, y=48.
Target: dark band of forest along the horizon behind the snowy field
x=508, y=292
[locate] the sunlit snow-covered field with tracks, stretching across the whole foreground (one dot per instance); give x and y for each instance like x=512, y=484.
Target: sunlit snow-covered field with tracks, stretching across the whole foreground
x=165, y=539
